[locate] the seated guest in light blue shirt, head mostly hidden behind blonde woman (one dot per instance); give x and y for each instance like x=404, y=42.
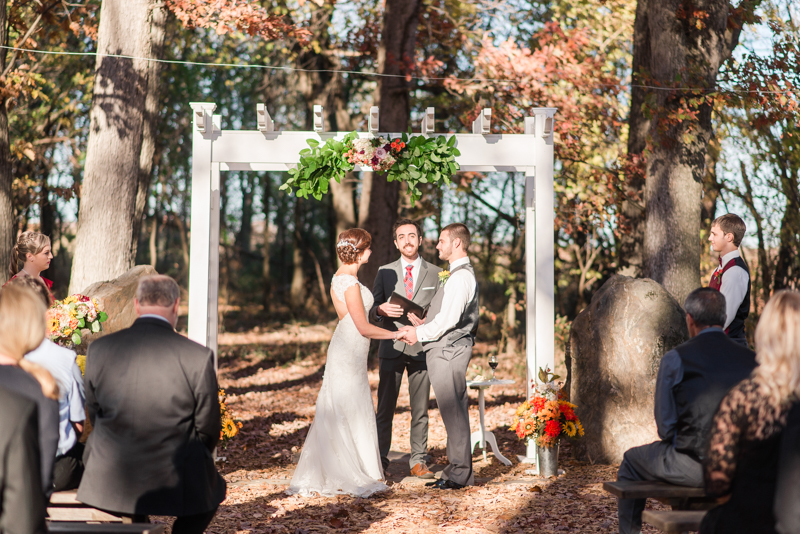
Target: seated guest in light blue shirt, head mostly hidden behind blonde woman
x=60, y=362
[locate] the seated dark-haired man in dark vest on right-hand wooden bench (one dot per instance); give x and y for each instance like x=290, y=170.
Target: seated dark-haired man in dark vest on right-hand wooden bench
x=692, y=380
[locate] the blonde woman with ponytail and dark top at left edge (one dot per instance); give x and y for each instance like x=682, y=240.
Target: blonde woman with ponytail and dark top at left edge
x=22, y=328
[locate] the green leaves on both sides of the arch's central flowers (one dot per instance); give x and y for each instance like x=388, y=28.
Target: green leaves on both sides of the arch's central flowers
x=424, y=160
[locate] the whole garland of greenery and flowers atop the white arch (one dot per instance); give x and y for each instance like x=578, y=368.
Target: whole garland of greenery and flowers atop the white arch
x=414, y=160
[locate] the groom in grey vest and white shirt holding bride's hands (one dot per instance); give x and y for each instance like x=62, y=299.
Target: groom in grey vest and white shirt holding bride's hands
x=447, y=336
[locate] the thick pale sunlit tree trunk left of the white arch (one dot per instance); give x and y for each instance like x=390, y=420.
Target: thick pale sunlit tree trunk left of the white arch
x=121, y=140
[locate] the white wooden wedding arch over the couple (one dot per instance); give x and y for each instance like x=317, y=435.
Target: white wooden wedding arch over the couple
x=266, y=149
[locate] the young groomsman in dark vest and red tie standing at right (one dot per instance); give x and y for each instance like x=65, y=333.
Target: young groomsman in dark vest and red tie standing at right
x=732, y=277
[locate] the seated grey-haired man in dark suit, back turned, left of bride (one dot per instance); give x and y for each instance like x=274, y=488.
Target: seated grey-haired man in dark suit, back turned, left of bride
x=152, y=399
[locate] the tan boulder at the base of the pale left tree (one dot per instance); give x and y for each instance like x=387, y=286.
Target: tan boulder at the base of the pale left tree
x=116, y=299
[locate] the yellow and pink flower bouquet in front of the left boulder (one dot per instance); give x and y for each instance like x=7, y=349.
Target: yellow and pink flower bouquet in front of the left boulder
x=67, y=318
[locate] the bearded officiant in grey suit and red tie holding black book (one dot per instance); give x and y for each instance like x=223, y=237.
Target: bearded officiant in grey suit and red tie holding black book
x=416, y=279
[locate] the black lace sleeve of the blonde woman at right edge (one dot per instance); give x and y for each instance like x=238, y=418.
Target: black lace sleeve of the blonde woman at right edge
x=747, y=419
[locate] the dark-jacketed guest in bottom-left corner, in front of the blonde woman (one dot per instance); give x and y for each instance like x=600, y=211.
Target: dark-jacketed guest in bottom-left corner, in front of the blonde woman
x=22, y=502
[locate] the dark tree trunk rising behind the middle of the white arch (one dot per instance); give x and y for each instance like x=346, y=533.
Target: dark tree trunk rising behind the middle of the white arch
x=396, y=54
